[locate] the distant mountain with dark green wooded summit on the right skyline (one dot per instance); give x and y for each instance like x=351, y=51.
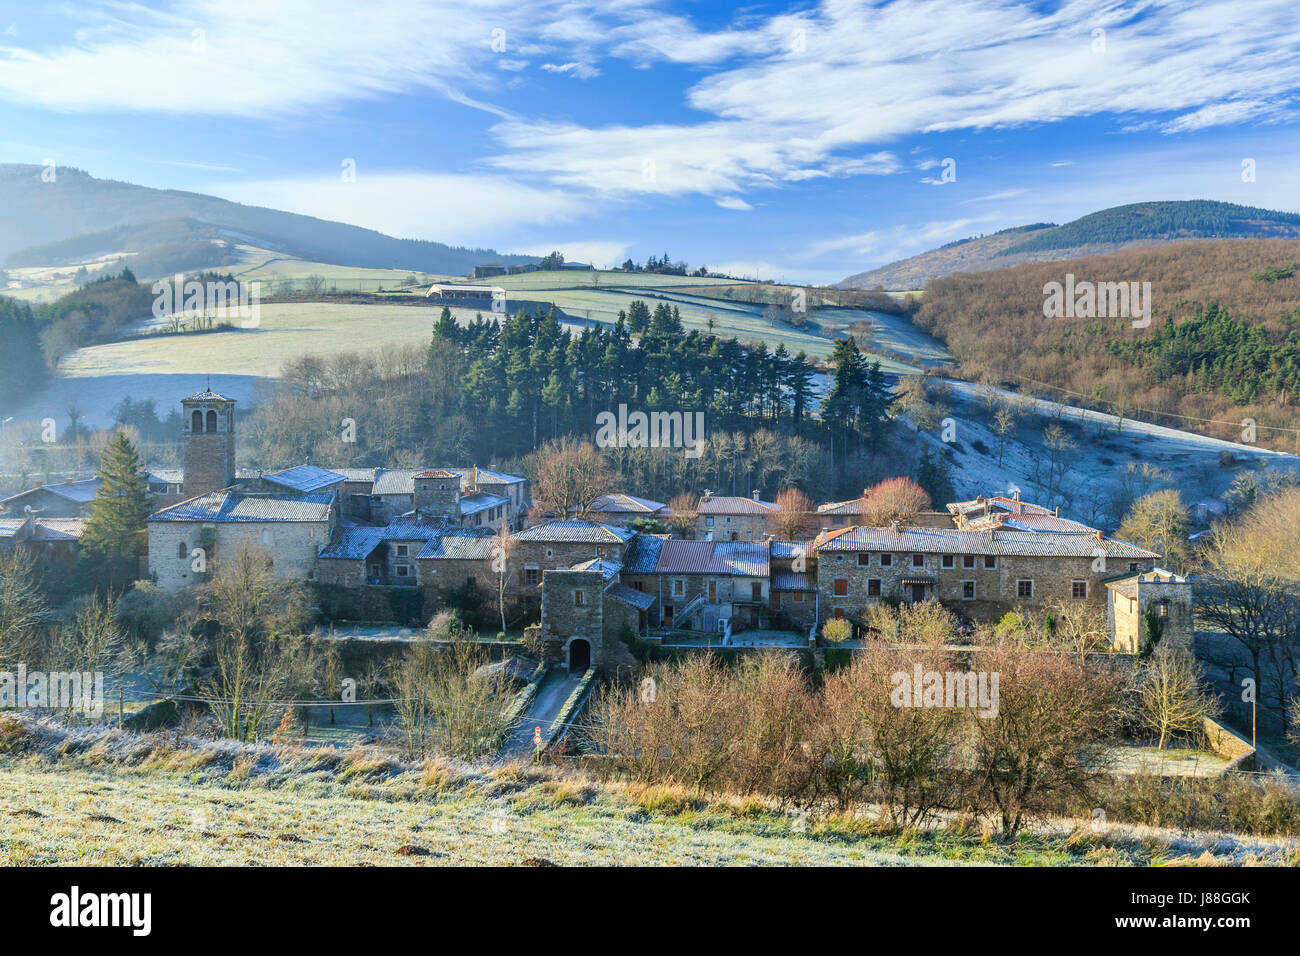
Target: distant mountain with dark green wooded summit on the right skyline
x=1098, y=233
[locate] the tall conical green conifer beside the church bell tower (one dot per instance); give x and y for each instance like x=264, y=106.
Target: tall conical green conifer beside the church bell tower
x=115, y=539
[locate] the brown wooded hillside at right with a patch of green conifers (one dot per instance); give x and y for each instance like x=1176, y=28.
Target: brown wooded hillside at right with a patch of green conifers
x=1224, y=344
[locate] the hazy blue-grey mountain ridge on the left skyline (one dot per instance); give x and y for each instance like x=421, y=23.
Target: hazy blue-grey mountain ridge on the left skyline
x=79, y=215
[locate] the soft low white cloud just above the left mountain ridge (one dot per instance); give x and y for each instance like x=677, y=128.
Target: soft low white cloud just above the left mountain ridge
x=453, y=209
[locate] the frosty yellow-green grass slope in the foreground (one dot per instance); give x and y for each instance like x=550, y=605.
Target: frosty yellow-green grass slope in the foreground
x=107, y=798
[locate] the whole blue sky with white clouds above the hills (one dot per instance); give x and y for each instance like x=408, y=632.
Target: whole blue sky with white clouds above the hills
x=801, y=142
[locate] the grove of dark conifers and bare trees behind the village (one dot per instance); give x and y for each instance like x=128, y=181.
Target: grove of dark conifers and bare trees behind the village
x=493, y=392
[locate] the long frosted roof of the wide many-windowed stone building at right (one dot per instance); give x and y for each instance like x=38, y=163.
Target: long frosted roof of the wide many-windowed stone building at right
x=1002, y=542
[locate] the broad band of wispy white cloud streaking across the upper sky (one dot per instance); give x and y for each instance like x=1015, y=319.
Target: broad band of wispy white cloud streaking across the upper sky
x=824, y=93
